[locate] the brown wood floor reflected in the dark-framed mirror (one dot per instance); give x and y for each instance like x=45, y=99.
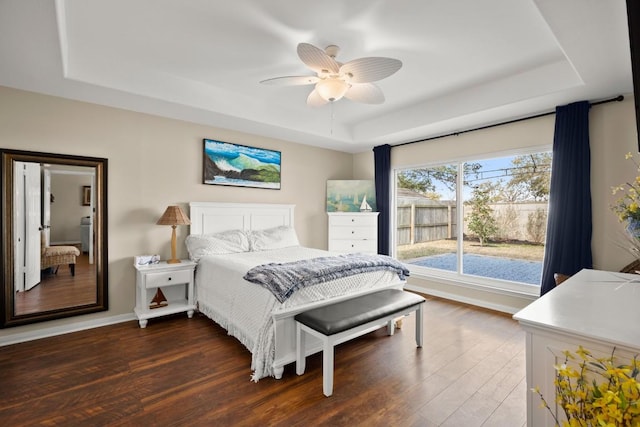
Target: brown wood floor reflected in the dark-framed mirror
x=61, y=290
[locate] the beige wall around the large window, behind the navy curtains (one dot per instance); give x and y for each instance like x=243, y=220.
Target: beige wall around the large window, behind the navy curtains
x=612, y=134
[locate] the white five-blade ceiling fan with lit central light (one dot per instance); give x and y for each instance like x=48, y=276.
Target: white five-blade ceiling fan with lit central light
x=334, y=80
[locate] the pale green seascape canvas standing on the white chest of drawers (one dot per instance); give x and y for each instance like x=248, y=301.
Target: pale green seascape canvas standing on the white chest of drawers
x=351, y=196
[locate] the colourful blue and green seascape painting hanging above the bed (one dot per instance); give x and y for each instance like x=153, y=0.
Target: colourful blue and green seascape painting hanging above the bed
x=240, y=165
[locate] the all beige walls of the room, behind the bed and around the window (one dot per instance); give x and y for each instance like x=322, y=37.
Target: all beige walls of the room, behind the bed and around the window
x=154, y=162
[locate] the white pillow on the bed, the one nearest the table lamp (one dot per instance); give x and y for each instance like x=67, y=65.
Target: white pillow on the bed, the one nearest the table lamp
x=226, y=242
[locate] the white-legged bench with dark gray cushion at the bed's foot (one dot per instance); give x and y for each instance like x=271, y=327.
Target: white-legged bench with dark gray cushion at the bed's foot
x=337, y=323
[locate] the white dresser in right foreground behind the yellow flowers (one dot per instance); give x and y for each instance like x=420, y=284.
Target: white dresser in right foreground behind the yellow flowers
x=595, y=309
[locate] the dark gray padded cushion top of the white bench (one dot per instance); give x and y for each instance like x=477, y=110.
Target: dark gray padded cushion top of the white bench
x=344, y=315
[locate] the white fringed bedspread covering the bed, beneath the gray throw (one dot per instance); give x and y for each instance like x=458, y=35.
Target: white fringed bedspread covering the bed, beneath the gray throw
x=245, y=309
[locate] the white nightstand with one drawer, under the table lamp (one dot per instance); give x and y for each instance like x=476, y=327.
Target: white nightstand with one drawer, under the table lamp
x=176, y=283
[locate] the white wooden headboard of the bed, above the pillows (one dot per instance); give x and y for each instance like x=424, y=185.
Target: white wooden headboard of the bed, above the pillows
x=214, y=217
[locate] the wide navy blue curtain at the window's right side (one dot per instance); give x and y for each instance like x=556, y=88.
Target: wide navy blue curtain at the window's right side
x=568, y=245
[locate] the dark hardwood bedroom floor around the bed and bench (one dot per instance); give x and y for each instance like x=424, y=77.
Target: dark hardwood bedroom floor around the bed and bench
x=188, y=372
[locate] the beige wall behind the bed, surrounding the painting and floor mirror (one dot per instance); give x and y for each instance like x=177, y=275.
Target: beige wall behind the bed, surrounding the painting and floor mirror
x=155, y=162
